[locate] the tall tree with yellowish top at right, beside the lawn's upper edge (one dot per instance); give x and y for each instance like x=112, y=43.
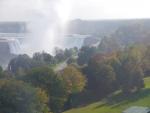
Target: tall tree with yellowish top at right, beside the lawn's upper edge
x=131, y=73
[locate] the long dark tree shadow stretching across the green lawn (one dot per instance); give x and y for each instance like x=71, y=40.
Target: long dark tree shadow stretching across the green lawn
x=120, y=99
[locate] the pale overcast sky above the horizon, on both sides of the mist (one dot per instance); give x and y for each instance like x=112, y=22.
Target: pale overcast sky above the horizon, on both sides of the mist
x=78, y=9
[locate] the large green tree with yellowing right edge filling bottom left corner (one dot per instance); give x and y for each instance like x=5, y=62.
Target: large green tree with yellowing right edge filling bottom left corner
x=19, y=97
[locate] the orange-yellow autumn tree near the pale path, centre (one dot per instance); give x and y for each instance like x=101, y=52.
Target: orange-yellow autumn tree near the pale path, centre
x=74, y=81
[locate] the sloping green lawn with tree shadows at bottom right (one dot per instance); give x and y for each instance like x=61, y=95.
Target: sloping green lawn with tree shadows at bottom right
x=116, y=103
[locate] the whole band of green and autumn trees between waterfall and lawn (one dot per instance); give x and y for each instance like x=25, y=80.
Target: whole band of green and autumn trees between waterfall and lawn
x=30, y=84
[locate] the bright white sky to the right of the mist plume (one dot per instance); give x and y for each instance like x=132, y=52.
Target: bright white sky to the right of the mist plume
x=110, y=9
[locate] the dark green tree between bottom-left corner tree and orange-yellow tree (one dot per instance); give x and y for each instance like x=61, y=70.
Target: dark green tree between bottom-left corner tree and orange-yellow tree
x=45, y=78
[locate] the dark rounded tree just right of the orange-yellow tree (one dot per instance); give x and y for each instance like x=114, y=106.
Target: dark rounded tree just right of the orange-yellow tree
x=101, y=78
